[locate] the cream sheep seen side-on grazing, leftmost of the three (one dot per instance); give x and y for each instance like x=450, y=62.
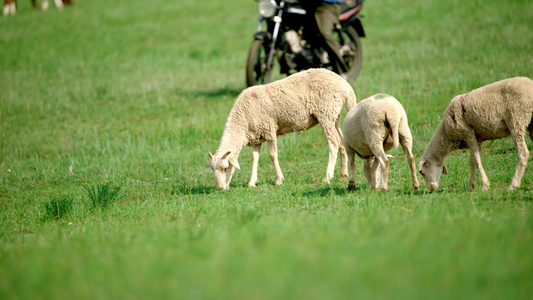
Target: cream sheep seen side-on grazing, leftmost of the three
x=293, y=104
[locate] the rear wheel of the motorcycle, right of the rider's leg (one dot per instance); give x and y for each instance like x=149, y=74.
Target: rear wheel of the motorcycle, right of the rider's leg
x=352, y=52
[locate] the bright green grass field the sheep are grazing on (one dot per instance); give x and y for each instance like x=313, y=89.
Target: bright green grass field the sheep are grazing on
x=133, y=94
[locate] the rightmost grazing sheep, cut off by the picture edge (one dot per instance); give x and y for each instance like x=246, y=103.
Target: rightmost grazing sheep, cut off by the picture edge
x=491, y=112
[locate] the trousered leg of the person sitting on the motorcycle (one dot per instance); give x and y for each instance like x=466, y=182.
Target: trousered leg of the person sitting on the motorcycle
x=327, y=16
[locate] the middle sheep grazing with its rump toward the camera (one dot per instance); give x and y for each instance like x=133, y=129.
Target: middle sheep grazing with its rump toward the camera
x=374, y=126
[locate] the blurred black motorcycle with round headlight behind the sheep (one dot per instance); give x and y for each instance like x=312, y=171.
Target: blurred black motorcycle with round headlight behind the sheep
x=292, y=38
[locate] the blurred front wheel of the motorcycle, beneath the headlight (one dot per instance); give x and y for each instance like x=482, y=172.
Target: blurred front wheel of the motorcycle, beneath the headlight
x=257, y=71
